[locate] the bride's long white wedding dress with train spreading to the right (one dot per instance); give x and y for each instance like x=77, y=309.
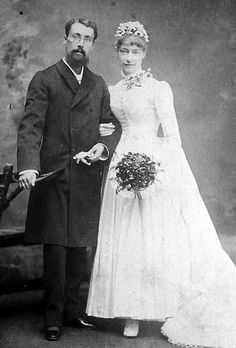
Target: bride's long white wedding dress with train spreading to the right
x=159, y=258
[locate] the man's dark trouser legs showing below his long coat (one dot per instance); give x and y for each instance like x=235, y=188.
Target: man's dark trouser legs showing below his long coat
x=64, y=269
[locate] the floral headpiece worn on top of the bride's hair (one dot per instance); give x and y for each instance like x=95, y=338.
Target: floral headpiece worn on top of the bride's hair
x=131, y=28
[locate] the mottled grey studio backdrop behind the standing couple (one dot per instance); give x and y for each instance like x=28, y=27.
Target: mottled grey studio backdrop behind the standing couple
x=192, y=46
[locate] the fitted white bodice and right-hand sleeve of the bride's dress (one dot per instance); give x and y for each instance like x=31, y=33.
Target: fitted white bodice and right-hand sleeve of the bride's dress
x=142, y=107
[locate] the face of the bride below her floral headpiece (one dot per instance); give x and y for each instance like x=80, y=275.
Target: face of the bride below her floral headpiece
x=131, y=56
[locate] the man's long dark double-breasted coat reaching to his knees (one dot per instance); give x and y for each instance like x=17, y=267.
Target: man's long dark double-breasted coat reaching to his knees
x=61, y=119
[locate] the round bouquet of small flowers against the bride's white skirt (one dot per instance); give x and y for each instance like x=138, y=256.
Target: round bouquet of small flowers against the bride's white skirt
x=135, y=172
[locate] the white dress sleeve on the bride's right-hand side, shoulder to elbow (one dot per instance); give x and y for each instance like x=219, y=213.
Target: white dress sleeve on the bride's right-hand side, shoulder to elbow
x=164, y=104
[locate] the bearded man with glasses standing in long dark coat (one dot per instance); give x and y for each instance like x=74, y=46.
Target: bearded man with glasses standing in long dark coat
x=60, y=129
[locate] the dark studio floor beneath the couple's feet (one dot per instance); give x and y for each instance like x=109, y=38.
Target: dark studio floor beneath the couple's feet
x=21, y=326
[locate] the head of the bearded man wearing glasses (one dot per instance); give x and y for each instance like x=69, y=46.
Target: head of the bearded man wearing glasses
x=79, y=43
